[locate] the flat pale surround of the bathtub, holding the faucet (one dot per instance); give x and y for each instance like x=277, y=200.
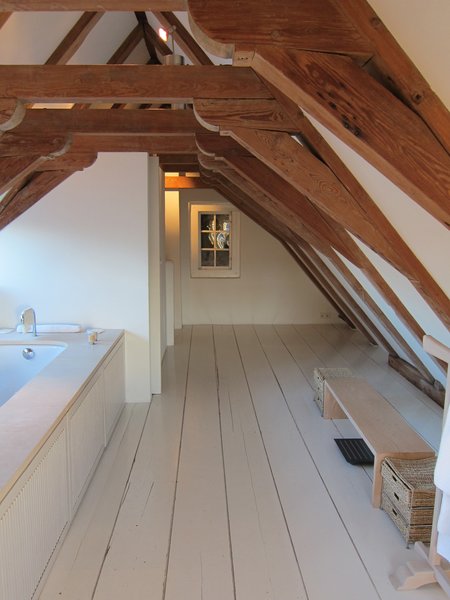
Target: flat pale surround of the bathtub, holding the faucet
x=30, y=416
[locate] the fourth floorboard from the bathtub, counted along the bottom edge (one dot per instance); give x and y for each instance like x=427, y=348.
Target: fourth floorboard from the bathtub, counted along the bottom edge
x=265, y=564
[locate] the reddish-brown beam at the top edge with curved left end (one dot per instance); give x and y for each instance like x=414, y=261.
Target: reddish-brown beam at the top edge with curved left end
x=310, y=24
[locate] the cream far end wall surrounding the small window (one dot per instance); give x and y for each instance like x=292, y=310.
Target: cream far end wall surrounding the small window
x=271, y=288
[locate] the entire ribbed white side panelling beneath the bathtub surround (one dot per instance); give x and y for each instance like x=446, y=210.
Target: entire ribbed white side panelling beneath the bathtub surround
x=36, y=512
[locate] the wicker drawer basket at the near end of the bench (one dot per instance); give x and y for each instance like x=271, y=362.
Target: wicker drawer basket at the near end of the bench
x=408, y=496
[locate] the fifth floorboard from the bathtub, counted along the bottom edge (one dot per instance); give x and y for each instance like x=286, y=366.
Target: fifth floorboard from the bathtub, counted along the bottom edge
x=318, y=534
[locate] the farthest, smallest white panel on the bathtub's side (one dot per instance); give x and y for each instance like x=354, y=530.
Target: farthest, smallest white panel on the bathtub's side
x=114, y=376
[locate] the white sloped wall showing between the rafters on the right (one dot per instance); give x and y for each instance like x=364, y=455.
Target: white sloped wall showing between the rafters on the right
x=429, y=47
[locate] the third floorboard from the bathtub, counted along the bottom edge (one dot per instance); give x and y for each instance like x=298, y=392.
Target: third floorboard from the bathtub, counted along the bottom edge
x=200, y=560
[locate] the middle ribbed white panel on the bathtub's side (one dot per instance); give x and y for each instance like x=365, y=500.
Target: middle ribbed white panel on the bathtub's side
x=86, y=441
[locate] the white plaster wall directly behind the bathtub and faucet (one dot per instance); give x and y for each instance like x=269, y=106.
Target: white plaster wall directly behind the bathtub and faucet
x=81, y=255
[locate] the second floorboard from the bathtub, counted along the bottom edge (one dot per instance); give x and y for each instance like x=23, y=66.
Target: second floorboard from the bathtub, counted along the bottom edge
x=136, y=563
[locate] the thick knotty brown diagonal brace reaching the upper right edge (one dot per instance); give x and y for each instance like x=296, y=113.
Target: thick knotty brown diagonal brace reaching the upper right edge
x=367, y=117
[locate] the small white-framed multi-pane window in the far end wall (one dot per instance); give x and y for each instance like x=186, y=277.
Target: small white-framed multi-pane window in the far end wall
x=214, y=240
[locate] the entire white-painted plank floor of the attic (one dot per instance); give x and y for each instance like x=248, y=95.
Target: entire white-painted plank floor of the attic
x=231, y=487
